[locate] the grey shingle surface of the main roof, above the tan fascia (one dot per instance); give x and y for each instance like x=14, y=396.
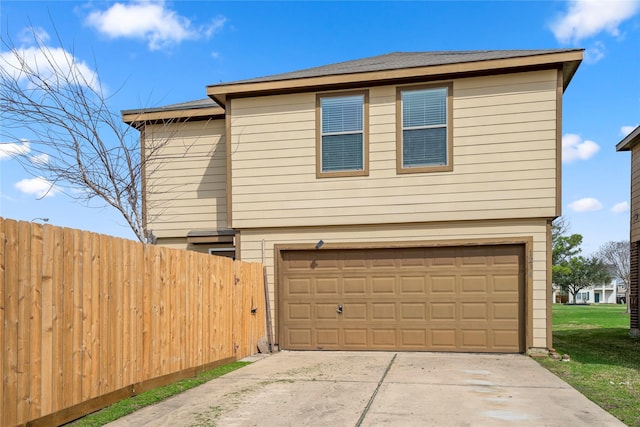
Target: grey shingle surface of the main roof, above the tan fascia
x=399, y=60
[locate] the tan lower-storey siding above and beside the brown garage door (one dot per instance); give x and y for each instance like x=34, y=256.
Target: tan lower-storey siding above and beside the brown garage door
x=536, y=230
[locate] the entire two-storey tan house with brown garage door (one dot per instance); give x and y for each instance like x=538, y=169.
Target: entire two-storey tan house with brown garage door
x=400, y=202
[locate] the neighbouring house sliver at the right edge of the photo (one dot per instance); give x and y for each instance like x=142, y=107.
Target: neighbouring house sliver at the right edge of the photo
x=632, y=143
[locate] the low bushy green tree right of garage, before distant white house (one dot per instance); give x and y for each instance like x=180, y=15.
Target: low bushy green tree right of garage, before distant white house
x=580, y=273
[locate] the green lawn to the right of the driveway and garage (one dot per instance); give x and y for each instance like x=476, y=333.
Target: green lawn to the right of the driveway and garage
x=605, y=360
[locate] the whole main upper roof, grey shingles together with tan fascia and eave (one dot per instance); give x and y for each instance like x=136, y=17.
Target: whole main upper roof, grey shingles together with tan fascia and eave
x=401, y=67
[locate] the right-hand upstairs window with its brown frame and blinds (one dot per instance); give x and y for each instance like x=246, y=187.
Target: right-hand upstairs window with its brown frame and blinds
x=424, y=129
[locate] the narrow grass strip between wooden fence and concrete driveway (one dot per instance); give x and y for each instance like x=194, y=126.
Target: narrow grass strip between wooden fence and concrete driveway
x=132, y=404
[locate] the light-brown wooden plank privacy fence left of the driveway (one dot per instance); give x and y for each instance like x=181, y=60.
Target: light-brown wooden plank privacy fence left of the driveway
x=89, y=319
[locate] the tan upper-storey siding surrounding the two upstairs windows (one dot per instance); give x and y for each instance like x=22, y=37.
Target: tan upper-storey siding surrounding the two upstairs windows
x=504, y=148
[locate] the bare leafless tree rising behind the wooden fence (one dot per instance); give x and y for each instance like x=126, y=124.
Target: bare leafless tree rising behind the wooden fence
x=55, y=107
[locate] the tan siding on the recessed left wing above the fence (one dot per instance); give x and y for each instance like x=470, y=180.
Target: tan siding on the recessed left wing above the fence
x=186, y=178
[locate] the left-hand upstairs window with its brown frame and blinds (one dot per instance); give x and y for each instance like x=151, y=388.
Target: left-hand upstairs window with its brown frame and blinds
x=342, y=145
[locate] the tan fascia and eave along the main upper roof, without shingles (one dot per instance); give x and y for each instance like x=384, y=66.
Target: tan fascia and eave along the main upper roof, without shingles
x=568, y=60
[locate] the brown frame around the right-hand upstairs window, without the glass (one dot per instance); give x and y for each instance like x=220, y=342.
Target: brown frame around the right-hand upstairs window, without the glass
x=400, y=169
